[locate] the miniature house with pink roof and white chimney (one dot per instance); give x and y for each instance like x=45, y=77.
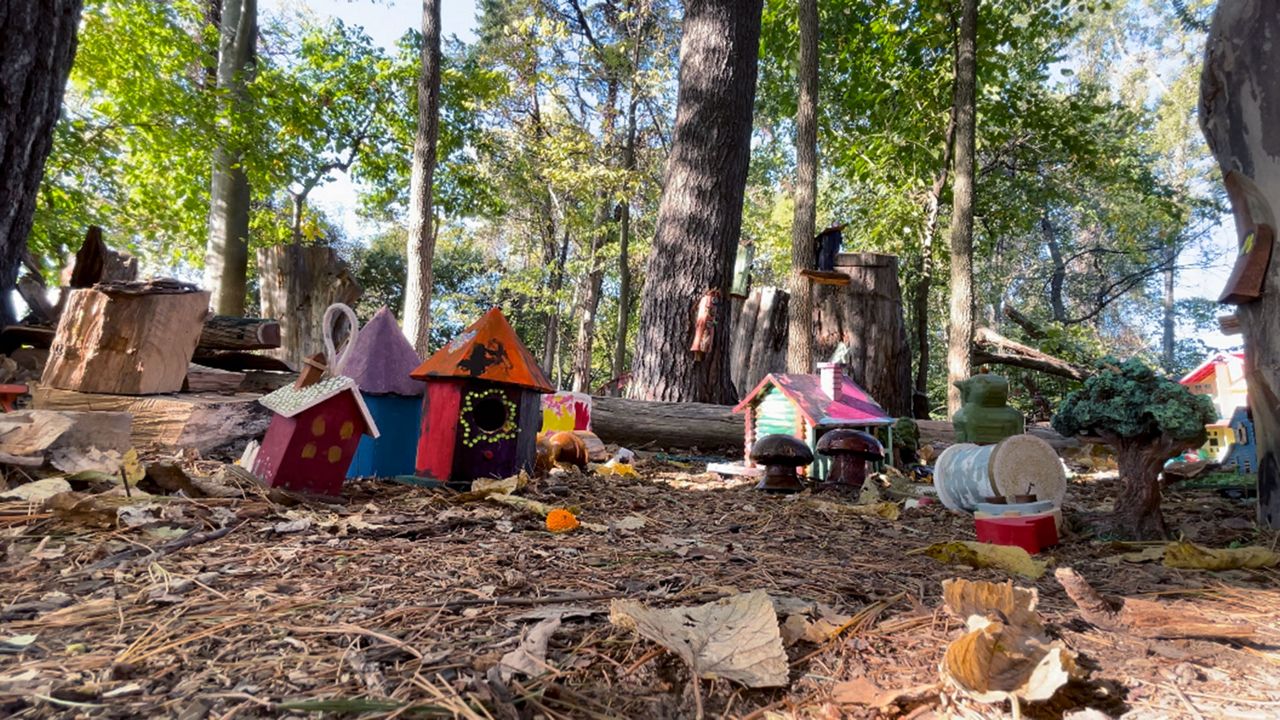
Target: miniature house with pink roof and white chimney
x=807, y=407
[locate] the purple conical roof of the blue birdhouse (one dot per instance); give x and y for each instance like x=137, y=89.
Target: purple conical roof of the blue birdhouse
x=382, y=359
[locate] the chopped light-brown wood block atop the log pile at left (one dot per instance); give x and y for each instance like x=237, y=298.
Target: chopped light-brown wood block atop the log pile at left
x=127, y=339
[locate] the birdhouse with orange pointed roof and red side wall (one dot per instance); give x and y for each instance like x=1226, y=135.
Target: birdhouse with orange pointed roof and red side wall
x=483, y=405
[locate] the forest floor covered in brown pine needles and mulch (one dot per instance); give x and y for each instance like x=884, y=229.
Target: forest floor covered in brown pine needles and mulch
x=403, y=601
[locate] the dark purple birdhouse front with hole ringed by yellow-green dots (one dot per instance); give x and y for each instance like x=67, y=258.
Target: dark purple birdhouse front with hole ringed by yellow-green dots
x=488, y=432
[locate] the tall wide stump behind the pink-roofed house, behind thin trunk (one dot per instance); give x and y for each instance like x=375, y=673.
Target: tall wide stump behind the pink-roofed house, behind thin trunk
x=867, y=317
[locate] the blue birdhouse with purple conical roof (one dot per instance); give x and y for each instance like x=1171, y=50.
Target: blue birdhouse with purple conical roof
x=381, y=361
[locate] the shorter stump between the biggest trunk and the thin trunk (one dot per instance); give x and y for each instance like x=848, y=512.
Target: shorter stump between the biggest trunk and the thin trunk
x=760, y=345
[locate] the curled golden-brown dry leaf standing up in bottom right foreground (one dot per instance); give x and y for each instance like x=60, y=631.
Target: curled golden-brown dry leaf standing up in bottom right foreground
x=1005, y=654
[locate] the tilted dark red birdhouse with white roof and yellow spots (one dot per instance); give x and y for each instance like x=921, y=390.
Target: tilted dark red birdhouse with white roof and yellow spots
x=313, y=438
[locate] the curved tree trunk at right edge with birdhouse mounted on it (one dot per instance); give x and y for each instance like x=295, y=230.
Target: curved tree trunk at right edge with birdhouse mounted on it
x=1240, y=113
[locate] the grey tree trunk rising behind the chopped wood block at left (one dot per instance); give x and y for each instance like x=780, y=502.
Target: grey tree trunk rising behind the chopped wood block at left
x=227, y=253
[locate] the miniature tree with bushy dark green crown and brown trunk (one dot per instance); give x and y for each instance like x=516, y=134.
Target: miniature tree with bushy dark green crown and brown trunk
x=1148, y=420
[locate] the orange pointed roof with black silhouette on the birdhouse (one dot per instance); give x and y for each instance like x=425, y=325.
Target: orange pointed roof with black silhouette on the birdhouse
x=488, y=350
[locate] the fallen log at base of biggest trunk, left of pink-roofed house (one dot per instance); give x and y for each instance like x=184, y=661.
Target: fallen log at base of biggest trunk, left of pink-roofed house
x=639, y=423
